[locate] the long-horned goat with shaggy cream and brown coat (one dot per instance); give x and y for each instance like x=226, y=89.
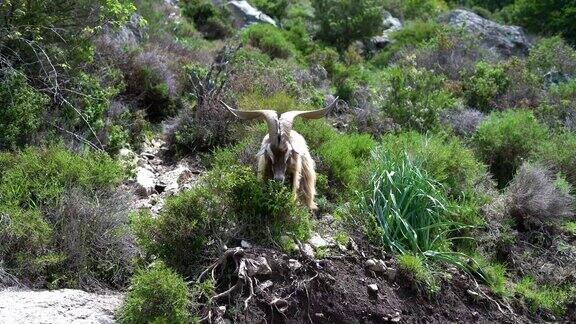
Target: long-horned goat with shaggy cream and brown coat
x=284, y=152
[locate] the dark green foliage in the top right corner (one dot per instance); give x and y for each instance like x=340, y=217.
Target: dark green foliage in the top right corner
x=549, y=17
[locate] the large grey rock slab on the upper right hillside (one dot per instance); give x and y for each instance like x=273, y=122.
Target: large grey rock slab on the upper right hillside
x=502, y=39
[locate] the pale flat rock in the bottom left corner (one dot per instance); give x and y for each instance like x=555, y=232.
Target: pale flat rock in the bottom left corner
x=57, y=306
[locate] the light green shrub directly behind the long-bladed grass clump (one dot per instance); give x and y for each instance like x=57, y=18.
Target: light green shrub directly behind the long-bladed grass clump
x=445, y=158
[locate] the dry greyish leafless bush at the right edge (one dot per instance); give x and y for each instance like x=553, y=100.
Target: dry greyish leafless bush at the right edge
x=534, y=199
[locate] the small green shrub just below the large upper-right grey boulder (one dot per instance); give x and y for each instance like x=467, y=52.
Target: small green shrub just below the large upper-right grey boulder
x=486, y=83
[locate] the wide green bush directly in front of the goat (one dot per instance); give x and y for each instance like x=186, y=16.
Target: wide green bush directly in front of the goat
x=227, y=203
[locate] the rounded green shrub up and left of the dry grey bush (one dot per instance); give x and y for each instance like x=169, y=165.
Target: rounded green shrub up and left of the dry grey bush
x=504, y=139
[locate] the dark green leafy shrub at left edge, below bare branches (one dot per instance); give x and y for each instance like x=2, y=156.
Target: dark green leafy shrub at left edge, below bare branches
x=22, y=109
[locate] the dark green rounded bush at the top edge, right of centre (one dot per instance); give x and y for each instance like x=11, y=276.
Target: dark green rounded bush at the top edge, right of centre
x=341, y=22
